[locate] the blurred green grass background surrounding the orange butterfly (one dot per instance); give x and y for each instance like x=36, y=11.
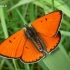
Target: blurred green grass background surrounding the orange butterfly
x=14, y=14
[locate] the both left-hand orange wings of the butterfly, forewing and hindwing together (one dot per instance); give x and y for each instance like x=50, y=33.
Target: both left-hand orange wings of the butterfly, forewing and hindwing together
x=18, y=46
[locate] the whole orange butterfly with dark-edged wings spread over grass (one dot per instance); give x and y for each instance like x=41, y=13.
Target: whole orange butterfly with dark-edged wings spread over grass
x=30, y=44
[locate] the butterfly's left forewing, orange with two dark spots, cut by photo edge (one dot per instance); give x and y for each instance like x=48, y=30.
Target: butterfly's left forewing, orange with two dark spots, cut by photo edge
x=13, y=46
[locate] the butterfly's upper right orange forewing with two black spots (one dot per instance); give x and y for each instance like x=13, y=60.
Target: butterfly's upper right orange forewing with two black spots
x=48, y=24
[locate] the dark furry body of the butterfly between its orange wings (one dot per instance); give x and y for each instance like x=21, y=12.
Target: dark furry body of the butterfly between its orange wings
x=32, y=34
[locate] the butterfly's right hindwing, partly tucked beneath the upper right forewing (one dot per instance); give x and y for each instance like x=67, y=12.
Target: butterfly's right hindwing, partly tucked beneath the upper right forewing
x=51, y=42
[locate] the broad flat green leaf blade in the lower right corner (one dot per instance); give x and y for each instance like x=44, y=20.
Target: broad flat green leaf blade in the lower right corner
x=57, y=61
